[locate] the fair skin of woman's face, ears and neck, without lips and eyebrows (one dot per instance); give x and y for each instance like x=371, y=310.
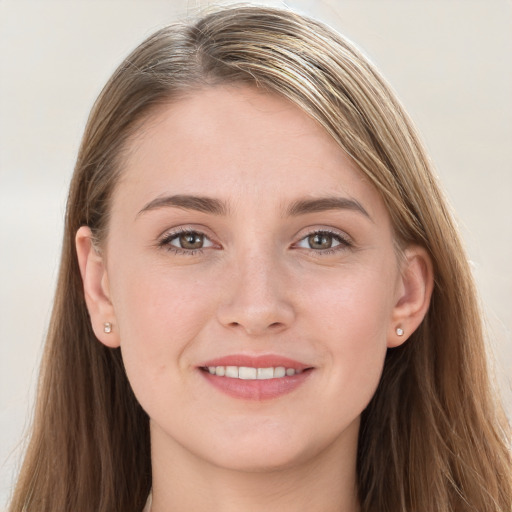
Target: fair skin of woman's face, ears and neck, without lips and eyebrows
x=259, y=285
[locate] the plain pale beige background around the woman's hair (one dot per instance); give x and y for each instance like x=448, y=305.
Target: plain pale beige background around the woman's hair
x=450, y=62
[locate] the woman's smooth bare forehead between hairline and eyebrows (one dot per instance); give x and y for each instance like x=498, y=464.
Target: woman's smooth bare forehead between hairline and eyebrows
x=234, y=141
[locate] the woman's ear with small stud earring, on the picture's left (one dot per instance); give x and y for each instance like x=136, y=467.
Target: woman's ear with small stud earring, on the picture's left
x=96, y=288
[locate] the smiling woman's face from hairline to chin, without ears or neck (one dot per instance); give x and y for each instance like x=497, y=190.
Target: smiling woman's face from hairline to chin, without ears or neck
x=241, y=235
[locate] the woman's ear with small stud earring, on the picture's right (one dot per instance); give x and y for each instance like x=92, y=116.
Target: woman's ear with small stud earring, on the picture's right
x=414, y=291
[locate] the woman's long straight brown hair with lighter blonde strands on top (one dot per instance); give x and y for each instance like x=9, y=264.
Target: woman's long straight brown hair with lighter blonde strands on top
x=433, y=437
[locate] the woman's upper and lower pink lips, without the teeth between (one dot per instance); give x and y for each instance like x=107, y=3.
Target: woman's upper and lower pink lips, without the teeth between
x=256, y=389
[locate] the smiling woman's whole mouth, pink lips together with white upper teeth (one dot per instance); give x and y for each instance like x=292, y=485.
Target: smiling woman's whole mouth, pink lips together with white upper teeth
x=255, y=378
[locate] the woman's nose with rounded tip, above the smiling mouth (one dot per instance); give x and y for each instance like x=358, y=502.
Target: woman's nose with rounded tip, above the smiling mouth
x=257, y=300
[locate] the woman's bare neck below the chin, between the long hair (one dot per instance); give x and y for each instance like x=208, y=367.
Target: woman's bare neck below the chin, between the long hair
x=324, y=483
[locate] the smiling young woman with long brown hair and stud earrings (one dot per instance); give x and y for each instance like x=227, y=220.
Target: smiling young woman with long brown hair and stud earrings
x=263, y=303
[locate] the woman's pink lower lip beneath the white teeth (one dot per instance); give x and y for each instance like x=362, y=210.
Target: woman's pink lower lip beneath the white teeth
x=265, y=389
